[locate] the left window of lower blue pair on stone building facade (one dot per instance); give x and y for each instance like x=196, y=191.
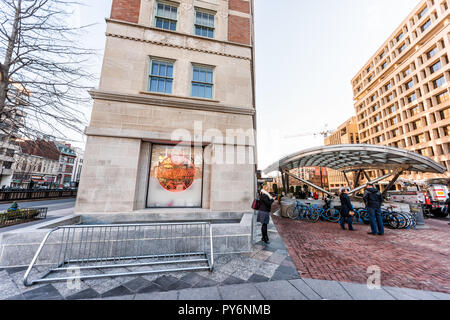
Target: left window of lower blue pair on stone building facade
x=161, y=76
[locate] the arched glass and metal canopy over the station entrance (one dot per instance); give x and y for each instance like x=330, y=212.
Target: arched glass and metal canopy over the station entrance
x=357, y=158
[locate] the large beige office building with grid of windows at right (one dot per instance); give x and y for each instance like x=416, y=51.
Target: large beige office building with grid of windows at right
x=402, y=95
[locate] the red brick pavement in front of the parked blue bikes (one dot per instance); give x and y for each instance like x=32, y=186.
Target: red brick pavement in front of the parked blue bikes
x=418, y=259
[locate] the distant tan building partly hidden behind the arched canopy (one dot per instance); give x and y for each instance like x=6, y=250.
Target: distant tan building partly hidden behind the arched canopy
x=346, y=133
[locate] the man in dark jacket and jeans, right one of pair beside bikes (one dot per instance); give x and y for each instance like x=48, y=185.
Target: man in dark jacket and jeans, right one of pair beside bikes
x=373, y=200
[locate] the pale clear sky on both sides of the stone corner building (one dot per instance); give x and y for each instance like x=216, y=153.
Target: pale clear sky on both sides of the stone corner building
x=307, y=52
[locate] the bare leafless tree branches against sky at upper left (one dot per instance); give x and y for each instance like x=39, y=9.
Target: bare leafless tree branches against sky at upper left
x=44, y=72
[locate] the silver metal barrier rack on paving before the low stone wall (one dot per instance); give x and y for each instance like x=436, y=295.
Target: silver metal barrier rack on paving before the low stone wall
x=140, y=248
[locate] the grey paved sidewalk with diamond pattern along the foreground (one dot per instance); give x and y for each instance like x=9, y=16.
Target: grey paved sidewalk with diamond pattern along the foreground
x=267, y=273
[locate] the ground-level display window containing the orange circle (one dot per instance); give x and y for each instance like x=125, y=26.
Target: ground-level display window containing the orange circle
x=176, y=177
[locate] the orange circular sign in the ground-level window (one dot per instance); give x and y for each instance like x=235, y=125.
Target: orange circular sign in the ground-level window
x=176, y=173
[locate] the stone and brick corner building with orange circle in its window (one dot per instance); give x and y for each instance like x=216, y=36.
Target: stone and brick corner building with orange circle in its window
x=173, y=120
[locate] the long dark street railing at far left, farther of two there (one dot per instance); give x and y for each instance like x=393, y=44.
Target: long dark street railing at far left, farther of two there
x=14, y=195
